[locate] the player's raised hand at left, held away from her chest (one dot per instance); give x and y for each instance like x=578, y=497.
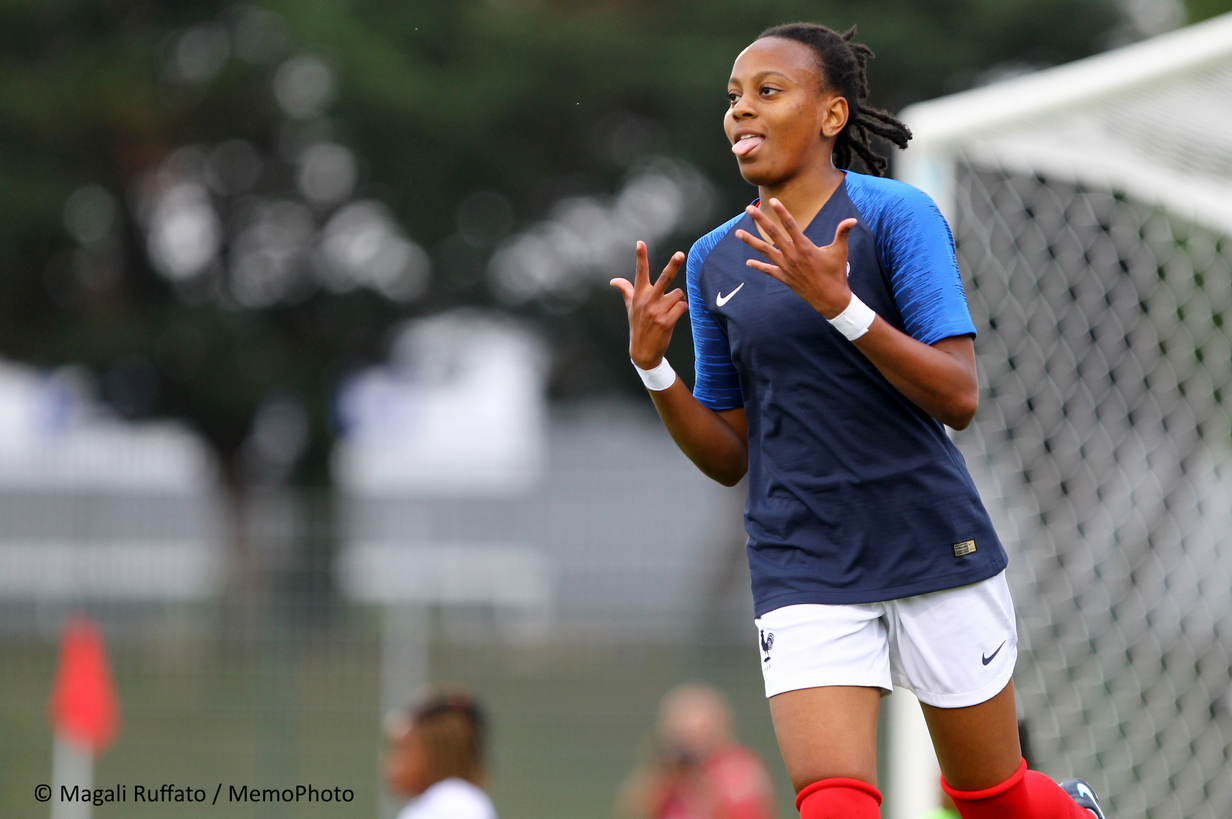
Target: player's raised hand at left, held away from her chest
x=652, y=311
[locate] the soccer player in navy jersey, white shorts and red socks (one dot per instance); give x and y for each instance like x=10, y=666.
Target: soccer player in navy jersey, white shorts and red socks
x=829, y=358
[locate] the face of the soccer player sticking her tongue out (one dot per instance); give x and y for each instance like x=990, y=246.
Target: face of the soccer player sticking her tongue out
x=780, y=121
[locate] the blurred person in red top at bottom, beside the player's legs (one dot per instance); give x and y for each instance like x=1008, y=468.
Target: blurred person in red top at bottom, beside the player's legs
x=698, y=770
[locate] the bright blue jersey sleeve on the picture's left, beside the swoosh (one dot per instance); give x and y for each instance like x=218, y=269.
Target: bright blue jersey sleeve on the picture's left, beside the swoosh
x=716, y=384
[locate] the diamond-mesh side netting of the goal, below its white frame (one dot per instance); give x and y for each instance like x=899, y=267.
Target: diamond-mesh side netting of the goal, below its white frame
x=1103, y=451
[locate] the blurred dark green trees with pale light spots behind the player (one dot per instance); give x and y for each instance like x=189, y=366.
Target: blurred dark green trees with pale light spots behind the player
x=220, y=209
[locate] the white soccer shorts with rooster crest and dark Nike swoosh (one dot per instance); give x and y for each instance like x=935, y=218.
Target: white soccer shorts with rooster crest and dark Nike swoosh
x=950, y=648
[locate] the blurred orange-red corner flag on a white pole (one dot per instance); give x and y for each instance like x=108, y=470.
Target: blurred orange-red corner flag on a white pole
x=84, y=709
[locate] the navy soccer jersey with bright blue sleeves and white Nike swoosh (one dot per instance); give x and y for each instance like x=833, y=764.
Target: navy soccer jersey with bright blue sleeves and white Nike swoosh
x=856, y=494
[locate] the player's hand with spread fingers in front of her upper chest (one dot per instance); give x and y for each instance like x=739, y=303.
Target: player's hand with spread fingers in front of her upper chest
x=817, y=275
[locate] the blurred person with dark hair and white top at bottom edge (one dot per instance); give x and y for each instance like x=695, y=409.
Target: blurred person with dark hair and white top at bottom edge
x=436, y=759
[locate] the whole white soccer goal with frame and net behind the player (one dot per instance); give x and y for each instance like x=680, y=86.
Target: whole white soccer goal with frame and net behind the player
x=1092, y=210
